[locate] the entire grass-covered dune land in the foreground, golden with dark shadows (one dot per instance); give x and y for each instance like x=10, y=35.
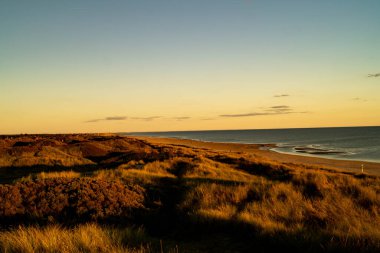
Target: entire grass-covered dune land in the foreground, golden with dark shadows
x=126, y=195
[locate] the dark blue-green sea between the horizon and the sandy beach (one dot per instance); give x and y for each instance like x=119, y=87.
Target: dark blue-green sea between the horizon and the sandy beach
x=348, y=143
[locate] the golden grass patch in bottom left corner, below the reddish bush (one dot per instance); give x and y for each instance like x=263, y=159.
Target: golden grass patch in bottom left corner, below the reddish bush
x=84, y=238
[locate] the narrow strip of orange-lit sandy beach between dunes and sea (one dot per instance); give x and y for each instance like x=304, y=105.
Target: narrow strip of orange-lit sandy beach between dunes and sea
x=265, y=151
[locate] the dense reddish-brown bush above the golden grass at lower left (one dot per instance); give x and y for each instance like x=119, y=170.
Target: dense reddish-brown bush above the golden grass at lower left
x=69, y=198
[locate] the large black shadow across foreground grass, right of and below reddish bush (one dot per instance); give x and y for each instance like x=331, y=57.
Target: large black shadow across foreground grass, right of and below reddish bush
x=196, y=233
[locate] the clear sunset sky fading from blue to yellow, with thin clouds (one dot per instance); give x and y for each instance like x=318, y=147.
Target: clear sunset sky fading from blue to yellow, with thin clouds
x=147, y=65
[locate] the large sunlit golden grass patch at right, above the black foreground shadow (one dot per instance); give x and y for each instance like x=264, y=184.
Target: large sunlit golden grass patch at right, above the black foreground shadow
x=336, y=206
